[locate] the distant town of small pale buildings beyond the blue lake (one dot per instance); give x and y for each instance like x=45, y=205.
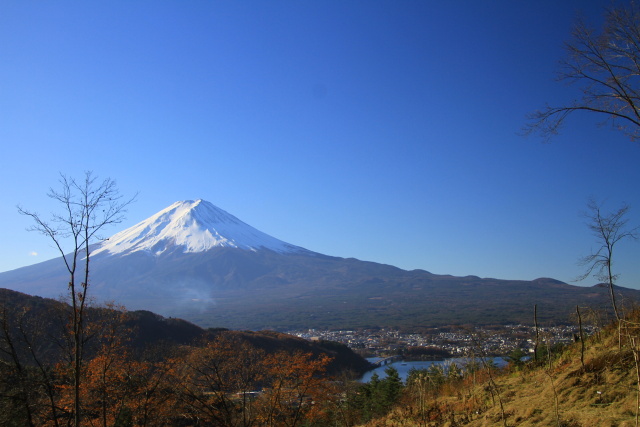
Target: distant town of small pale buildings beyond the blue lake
x=457, y=342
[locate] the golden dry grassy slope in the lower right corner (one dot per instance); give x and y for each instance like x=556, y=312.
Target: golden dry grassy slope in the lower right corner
x=602, y=394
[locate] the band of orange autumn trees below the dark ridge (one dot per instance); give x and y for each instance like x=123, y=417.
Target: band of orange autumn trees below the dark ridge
x=227, y=382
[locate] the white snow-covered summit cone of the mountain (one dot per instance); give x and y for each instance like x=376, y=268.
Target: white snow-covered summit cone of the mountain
x=191, y=226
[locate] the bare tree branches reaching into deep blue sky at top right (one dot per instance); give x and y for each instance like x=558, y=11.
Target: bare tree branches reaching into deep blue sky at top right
x=606, y=67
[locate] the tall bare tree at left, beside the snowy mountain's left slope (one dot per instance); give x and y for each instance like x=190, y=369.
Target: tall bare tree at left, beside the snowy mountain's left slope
x=87, y=206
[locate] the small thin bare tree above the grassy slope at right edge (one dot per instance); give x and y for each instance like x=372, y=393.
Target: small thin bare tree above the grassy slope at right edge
x=608, y=229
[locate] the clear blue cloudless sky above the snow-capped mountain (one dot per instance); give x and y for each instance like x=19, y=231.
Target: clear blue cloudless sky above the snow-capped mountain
x=382, y=130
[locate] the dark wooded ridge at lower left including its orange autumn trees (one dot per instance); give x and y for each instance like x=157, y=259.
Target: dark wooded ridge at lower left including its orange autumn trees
x=142, y=369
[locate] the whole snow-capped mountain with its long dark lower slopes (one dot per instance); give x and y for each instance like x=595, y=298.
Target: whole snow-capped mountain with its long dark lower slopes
x=195, y=261
